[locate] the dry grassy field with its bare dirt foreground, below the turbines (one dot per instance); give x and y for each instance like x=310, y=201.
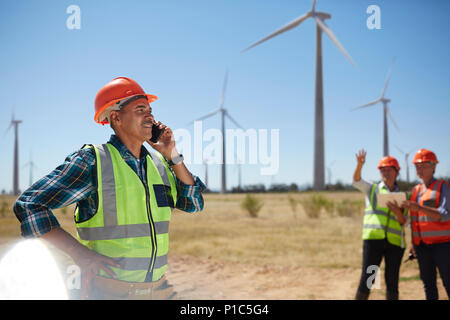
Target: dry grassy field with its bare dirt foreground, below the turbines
x=224, y=253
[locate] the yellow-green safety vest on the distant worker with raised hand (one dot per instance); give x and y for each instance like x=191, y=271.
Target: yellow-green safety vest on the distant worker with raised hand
x=380, y=222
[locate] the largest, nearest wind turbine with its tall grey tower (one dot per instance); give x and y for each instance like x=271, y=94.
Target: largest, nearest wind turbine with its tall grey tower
x=319, y=149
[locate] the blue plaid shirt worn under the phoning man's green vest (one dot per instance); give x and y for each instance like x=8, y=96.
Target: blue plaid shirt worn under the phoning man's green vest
x=76, y=180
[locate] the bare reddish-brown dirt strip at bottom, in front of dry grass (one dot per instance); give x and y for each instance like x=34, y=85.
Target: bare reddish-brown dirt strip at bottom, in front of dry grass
x=207, y=279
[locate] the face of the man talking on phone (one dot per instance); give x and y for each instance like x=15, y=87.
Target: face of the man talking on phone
x=134, y=120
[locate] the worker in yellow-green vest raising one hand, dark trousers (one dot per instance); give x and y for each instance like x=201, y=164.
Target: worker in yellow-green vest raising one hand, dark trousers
x=383, y=235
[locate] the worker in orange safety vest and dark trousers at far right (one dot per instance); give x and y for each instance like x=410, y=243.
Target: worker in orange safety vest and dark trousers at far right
x=429, y=208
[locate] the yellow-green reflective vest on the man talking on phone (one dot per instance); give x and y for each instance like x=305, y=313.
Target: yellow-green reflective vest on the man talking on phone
x=132, y=221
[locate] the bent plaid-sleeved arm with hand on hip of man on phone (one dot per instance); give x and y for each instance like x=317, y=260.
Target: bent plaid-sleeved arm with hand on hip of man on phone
x=67, y=184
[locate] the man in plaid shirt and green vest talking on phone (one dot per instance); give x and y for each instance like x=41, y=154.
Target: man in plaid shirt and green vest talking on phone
x=124, y=195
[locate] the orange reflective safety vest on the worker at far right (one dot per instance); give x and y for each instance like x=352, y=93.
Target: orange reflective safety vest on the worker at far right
x=424, y=228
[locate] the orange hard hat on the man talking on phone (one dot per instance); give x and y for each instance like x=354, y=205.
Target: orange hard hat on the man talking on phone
x=118, y=89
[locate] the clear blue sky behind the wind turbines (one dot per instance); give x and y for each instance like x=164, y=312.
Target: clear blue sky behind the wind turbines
x=180, y=50
